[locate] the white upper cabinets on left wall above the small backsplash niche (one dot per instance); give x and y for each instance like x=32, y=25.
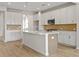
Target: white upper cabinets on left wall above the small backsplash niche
x=14, y=18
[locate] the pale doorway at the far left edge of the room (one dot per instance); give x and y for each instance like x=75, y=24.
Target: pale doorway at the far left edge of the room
x=2, y=26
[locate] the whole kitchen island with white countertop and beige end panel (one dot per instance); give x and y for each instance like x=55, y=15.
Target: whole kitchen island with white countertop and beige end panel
x=41, y=41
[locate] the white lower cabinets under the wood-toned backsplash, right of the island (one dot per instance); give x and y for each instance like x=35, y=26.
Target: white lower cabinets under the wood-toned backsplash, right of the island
x=67, y=37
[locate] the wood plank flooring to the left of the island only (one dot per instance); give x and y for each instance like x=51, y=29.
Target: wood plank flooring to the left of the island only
x=15, y=49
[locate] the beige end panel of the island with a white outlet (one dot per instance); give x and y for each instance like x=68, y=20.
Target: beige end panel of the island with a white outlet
x=52, y=44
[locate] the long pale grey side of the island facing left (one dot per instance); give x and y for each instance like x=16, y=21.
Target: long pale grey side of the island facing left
x=35, y=42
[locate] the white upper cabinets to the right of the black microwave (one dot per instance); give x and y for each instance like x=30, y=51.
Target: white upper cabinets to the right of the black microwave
x=65, y=15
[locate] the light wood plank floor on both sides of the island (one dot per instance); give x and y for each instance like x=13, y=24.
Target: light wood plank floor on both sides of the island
x=15, y=49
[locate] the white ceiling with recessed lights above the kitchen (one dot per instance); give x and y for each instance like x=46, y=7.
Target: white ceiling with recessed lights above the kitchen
x=30, y=6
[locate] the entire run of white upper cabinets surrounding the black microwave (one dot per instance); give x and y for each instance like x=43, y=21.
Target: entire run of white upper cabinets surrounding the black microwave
x=62, y=16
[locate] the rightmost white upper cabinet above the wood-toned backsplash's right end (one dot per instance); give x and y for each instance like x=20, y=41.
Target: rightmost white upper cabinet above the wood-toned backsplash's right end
x=70, y=14
